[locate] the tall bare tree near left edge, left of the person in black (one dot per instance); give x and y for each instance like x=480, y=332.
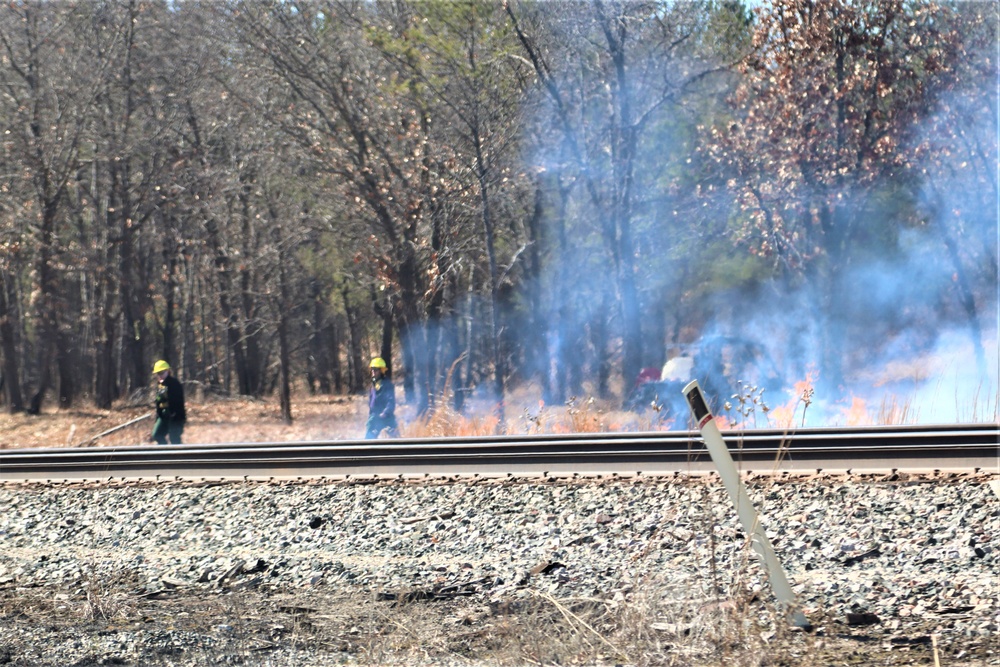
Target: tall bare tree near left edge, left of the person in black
x=49, y=93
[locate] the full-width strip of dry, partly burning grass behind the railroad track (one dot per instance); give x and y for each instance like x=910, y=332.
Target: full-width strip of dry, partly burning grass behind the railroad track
x=216, y=419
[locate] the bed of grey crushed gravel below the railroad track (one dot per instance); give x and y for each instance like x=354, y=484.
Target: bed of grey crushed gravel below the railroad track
x=162, y=573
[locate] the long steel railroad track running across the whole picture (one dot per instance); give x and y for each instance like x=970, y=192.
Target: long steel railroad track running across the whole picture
x=907, y=448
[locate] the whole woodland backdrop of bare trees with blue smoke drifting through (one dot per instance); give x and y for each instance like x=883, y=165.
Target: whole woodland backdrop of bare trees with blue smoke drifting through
x=491, y=194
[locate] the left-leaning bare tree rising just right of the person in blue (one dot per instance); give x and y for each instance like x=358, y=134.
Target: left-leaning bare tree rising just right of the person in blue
x=368, y=134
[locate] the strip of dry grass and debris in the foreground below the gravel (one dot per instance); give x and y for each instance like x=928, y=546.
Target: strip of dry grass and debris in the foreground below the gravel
x=648, y=624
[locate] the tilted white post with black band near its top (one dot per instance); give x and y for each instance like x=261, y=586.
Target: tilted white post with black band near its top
x=744, y=507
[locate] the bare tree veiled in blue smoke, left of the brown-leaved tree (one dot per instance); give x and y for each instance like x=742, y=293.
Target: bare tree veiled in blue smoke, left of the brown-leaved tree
x=619, y=70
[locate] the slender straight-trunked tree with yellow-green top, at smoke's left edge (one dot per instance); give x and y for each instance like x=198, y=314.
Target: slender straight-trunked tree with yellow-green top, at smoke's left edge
x=466, y=67
